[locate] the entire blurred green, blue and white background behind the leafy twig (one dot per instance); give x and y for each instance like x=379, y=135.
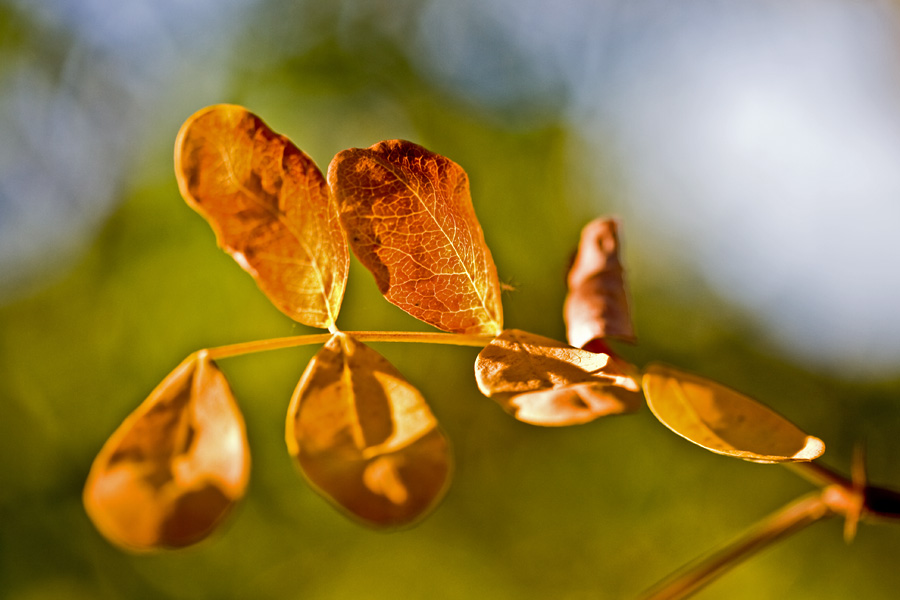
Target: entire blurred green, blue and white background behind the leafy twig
x=751, y=150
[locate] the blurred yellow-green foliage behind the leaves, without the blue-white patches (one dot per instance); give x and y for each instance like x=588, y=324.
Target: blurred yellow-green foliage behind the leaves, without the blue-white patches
x=600, y=510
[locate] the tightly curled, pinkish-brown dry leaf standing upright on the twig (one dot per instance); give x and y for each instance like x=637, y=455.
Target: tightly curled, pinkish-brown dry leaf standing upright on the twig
x=597, y=304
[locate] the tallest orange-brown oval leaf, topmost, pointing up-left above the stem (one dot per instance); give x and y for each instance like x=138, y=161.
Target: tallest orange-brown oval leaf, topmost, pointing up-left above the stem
x=269, y=206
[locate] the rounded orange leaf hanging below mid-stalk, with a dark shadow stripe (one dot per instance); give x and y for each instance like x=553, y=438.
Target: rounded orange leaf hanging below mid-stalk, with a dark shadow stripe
x=365, y=438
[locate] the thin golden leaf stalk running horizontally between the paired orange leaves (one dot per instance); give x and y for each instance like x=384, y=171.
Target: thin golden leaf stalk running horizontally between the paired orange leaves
x=424, y=337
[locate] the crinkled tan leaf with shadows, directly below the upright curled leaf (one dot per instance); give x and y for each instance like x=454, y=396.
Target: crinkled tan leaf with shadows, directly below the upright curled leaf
x=545, y=382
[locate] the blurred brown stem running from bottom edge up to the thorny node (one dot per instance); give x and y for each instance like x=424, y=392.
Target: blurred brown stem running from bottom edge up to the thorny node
x=791, y=518
